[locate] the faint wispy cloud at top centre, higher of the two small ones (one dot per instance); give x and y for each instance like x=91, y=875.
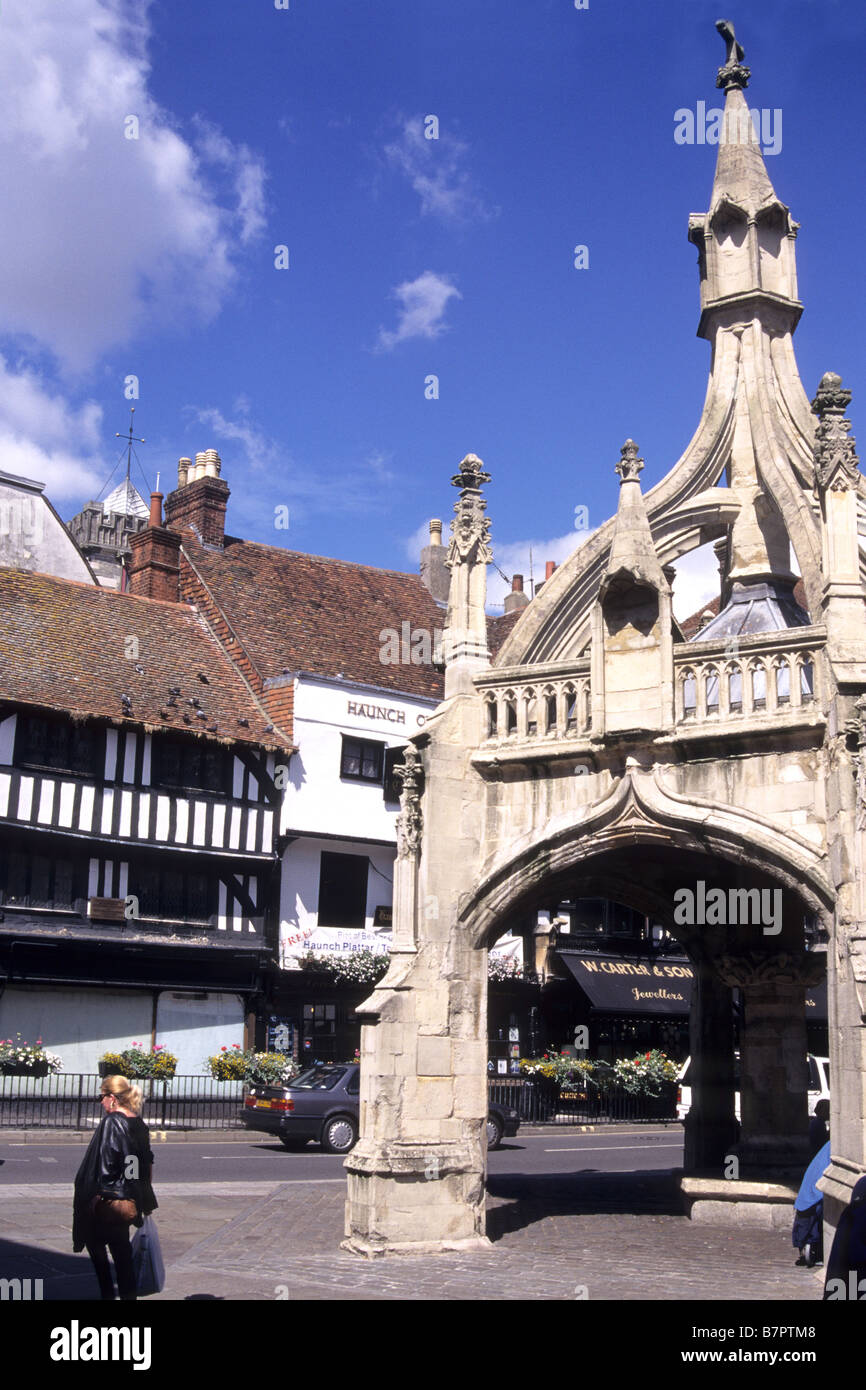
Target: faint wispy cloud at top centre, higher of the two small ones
x=434, y=167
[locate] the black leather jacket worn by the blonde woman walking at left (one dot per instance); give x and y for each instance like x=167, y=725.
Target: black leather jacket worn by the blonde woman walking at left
x=117, y=1164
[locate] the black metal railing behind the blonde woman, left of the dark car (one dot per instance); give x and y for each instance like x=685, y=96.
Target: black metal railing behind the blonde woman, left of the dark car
x=72, y=1102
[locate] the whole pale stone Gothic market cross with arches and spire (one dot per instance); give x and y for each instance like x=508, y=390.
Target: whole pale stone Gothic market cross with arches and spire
x=601, y=730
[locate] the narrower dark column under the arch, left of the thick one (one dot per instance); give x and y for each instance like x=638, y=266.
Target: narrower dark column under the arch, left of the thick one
x=711, y=1125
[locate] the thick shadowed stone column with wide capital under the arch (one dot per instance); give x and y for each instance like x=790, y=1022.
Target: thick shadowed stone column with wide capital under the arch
x=774, y=1072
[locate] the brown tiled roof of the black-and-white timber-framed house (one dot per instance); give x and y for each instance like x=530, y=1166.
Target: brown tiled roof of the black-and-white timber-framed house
x=65, y=646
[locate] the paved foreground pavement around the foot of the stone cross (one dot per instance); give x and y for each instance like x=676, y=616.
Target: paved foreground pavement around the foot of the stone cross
x=553, y=1239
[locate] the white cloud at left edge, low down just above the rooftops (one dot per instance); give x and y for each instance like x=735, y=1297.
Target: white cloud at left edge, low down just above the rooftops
x=45, y=439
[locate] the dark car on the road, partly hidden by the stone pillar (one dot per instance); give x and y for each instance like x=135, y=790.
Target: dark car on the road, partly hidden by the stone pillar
x=323, y=1104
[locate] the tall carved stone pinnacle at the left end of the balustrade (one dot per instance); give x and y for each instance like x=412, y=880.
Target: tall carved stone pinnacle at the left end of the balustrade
x=469, y=554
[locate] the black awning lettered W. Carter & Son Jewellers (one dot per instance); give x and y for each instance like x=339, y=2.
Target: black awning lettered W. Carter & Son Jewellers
x=615, y=985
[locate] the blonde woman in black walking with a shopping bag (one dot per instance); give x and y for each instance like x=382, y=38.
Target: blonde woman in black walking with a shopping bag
x=113, y=1189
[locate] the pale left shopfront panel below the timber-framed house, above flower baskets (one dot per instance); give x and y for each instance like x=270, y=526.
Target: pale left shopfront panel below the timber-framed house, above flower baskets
x=79, y=1024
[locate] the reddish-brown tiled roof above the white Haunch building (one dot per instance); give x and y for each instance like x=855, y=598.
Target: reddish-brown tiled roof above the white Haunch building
x=311, y=614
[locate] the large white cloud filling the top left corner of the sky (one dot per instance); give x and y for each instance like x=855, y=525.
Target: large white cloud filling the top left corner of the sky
x=102, y=234
